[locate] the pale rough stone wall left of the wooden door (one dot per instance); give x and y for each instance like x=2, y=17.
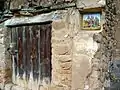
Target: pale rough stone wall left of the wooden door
x=5, y=62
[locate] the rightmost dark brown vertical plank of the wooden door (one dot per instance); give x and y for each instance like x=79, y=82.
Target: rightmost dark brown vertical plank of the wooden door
x=47, y=60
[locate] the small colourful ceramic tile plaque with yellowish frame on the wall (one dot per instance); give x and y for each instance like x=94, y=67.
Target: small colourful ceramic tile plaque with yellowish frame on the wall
x=91, y=21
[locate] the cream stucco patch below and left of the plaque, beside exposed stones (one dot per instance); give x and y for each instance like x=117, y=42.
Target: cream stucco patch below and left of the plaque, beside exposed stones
x=84, y=63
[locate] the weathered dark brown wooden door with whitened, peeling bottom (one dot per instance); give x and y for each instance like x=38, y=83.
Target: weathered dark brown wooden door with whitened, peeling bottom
x=31, y=54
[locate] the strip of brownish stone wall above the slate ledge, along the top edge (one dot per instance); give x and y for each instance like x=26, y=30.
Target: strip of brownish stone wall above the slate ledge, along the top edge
x=15, y=4
